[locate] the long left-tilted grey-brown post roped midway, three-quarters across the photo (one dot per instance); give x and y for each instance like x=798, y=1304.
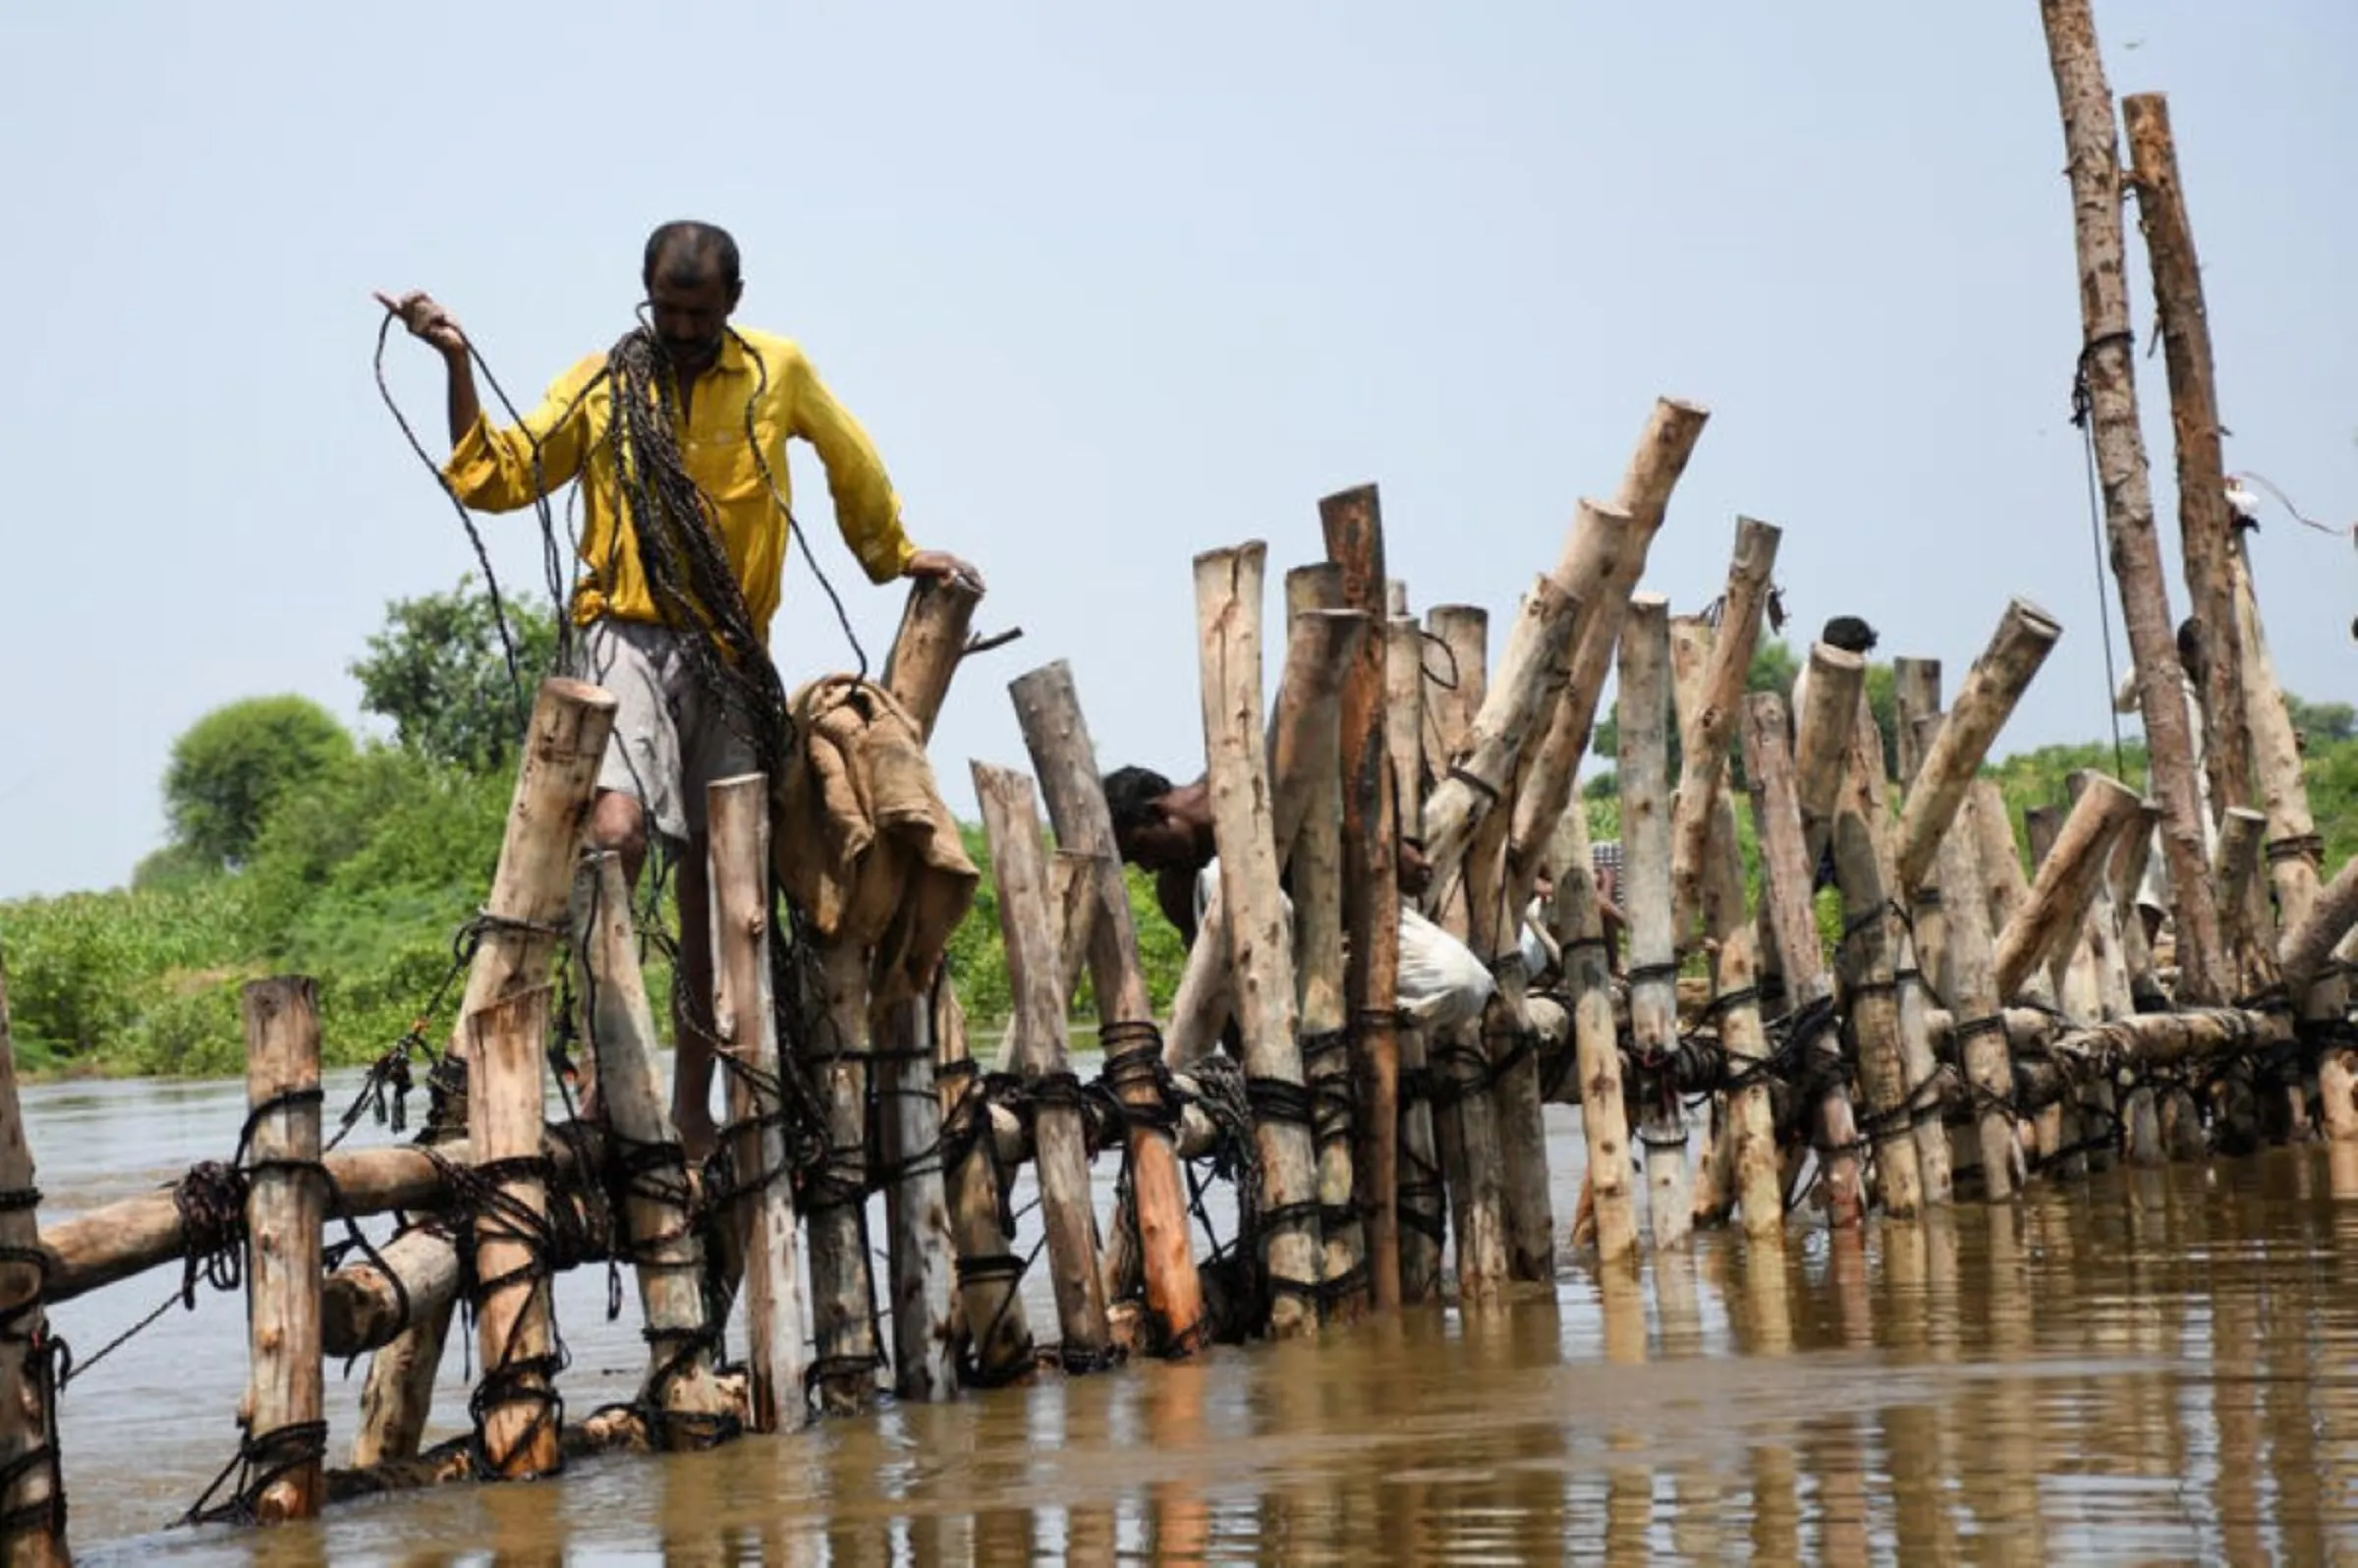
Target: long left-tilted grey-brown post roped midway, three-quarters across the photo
x=1786, y=874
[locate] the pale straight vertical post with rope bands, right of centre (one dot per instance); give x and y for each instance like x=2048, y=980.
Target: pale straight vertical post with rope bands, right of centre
x=1654, y=966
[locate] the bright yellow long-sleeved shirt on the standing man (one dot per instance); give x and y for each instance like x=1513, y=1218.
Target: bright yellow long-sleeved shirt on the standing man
x=494, y=473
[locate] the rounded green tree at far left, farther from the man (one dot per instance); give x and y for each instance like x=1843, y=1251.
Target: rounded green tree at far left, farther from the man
x=235, y=765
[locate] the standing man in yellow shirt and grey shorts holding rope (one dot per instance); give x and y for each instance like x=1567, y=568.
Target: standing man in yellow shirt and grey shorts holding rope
x=730, y=402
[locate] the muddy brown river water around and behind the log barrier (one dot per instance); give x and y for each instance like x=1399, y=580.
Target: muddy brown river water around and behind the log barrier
x=2142, y=1369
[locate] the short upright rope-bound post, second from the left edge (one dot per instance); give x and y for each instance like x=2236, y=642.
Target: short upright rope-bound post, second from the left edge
x=284, y=1211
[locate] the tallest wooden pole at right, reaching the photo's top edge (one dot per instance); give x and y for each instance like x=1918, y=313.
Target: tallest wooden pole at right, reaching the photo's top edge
x=2121, y=459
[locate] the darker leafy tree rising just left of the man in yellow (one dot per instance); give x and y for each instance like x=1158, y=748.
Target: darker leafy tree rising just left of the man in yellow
x=437, y=671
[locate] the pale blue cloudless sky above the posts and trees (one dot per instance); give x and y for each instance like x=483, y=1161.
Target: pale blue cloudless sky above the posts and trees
x=1114, y=284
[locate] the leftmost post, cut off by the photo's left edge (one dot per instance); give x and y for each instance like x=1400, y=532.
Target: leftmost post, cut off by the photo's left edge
x=34, y=1496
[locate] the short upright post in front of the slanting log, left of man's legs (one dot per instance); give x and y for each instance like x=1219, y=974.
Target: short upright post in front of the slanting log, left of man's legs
x=515, y=1315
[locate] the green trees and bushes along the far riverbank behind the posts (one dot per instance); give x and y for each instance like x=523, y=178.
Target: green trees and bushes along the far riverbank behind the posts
x=301, y=848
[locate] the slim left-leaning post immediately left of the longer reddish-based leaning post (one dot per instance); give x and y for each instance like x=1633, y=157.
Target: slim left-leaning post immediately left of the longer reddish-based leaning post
x=1062, y=1159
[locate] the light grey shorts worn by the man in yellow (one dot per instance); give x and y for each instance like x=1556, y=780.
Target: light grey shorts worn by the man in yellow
x=671, y=734
